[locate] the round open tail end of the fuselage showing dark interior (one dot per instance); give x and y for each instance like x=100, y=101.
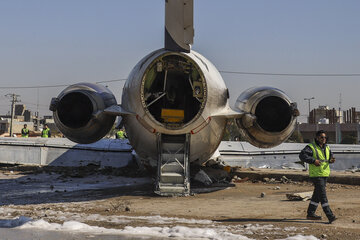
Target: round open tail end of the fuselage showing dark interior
x=173, y=90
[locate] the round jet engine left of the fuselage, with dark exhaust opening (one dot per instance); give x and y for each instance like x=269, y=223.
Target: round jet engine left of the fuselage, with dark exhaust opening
x=78, y=112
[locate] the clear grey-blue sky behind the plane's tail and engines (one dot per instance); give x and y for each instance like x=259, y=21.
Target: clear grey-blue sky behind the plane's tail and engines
x=45, y=42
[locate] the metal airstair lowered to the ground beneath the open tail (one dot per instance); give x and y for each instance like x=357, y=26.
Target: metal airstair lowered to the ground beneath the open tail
x=173, y=171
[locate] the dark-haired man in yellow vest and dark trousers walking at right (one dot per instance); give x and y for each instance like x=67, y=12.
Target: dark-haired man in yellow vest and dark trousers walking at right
x=318, y=155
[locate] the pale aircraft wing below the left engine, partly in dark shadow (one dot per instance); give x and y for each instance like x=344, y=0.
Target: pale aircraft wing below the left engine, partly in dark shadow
x=63, y=152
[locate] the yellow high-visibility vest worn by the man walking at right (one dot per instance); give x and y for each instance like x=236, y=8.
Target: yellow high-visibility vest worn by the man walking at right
x=323, y=170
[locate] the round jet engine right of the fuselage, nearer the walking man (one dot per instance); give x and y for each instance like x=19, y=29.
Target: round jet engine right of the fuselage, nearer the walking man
x=269, y=116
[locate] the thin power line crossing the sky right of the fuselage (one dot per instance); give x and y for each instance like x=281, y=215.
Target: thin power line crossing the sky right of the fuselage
x=295, y=74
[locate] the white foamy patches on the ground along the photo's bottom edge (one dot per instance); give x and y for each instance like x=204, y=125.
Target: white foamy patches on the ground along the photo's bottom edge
x=212, y=232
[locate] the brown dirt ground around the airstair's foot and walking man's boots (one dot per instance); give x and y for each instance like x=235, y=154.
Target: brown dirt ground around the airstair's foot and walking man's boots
x=240, y=204
